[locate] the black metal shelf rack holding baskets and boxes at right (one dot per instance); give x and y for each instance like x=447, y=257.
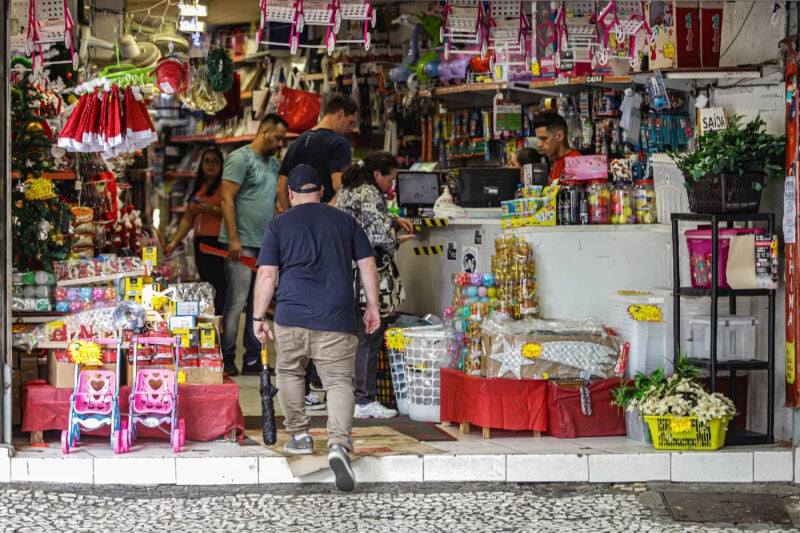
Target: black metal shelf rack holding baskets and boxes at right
x=734, y=436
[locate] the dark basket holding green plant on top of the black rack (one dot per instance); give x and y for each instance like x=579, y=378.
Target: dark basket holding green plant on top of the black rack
x=726, y=193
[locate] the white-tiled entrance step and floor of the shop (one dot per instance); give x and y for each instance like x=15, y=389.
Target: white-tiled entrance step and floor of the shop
x=512, y=457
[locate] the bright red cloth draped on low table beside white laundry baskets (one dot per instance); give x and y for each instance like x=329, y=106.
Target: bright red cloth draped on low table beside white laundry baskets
x=499, y=403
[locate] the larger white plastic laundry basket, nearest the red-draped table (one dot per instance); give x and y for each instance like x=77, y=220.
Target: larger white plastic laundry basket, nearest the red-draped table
x=425, y=354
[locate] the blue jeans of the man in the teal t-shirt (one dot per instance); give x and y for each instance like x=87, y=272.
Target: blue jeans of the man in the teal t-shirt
x=239, y=296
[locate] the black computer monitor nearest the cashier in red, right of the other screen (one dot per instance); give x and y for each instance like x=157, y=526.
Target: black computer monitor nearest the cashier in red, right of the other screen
x=487, y=187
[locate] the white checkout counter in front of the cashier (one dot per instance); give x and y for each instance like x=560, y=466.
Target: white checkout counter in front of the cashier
x=577, y=267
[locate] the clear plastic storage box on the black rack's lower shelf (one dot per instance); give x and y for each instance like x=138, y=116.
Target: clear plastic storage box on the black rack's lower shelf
x=736, y=337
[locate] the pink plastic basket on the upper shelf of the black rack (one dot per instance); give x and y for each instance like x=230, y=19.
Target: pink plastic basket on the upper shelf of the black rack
x=699, y=243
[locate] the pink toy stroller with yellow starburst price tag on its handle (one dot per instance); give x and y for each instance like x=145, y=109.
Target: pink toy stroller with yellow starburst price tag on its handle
x=95, y=402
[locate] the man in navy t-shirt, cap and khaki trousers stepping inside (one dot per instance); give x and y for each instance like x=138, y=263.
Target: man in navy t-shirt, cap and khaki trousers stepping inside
x=313, y=246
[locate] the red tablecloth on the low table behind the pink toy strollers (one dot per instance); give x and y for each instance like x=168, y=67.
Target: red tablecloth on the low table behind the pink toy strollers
x=210, y=411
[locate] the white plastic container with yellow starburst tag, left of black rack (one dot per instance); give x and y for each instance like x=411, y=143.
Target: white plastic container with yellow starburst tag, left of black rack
x=650, y=342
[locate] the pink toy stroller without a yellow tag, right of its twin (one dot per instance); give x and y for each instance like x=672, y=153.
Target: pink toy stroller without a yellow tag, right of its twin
x=154, y=397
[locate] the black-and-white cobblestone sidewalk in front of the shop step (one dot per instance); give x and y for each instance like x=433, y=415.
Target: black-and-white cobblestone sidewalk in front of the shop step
x=381, y=508
